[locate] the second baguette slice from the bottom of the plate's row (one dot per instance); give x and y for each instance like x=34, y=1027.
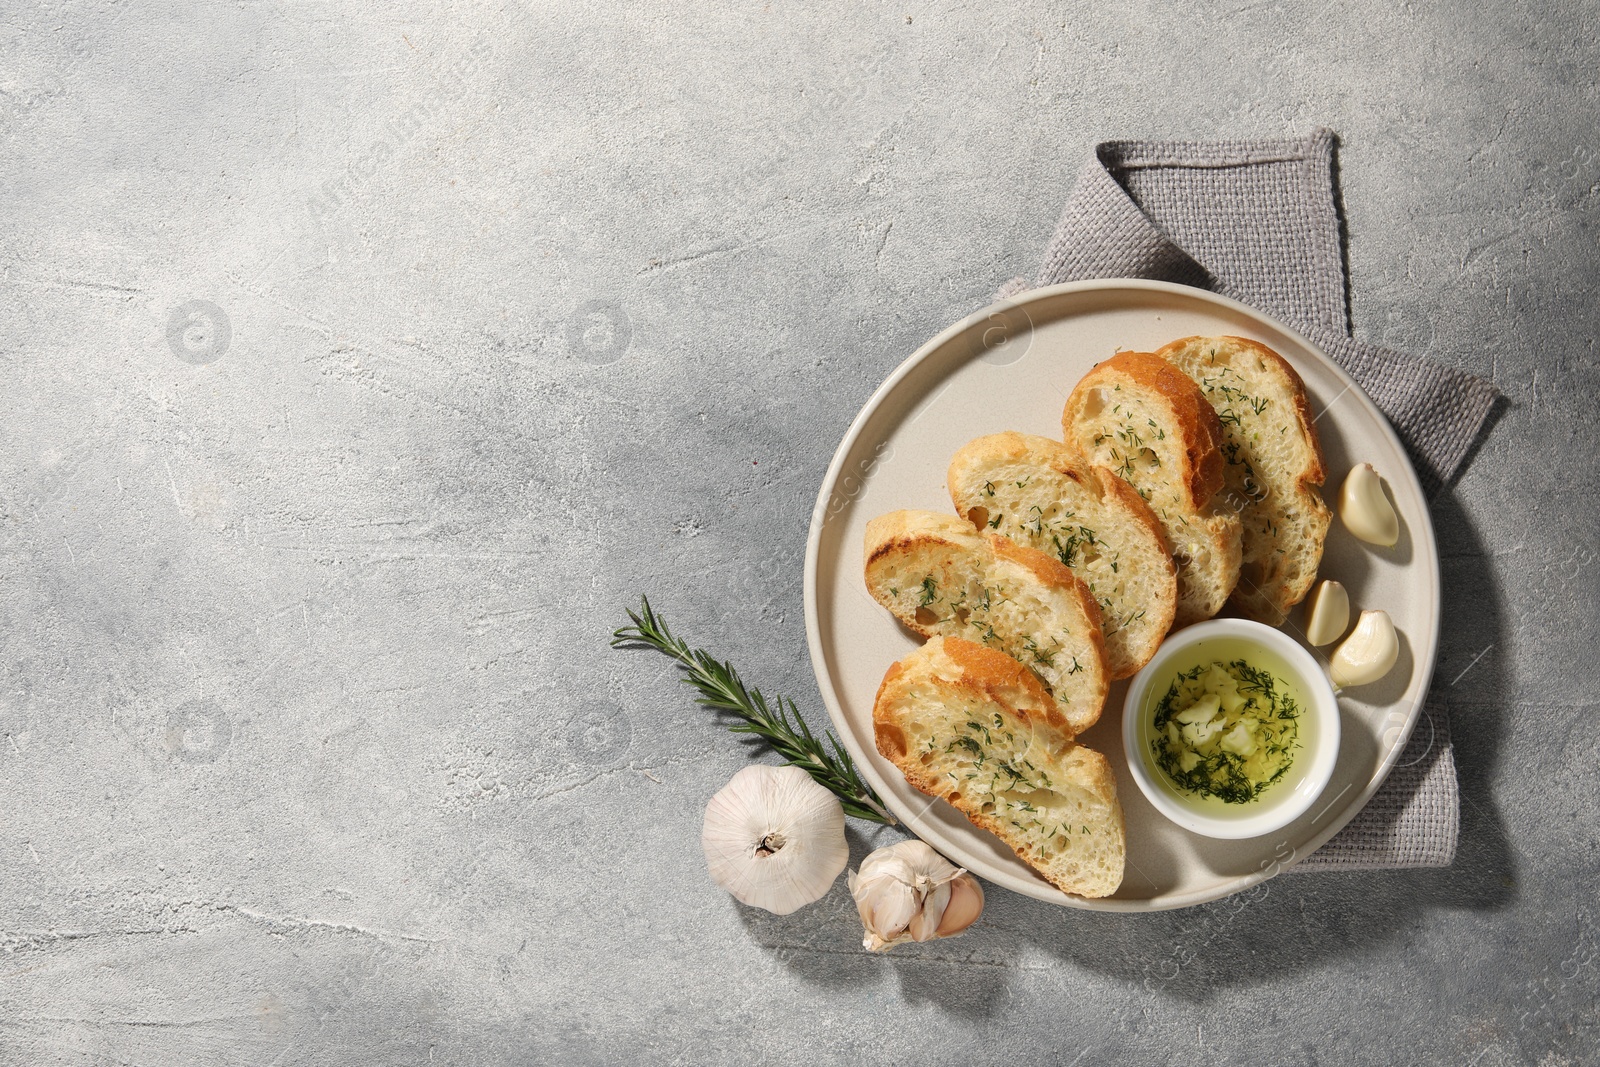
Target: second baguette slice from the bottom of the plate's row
x=943, y=578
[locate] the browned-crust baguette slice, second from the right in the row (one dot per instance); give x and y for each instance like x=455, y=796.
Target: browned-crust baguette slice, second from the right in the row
x=1146, y=422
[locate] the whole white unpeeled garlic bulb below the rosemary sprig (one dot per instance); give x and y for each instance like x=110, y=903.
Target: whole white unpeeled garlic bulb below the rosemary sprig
x=775, y=839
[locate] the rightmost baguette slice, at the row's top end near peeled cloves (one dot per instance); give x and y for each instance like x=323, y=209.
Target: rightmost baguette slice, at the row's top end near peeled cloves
x=1273, y=471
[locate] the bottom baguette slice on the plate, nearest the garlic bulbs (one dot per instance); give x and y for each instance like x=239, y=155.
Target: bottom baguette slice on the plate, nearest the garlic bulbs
x=977, y=729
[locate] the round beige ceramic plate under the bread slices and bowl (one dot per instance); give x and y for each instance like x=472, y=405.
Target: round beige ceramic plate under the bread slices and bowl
x=1010, y=369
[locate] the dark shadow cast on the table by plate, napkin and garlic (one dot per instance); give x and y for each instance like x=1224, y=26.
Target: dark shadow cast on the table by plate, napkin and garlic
x=1276, y=930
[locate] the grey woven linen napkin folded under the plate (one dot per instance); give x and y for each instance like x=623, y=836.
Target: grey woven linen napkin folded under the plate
x=1258, y=222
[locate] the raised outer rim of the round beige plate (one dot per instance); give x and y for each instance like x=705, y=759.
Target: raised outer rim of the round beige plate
x=1423, y=537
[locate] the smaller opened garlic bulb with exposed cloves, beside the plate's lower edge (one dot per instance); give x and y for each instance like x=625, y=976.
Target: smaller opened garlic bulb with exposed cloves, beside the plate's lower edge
x=911, y=893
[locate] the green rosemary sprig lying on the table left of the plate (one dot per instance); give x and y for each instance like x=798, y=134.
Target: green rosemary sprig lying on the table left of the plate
x=780, y=729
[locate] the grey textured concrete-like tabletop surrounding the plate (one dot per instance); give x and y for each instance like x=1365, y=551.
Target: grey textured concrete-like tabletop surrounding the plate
x=362, y=366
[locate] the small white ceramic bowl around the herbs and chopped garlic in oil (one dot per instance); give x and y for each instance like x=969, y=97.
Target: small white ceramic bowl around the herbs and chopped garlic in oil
x=1319, y=727
